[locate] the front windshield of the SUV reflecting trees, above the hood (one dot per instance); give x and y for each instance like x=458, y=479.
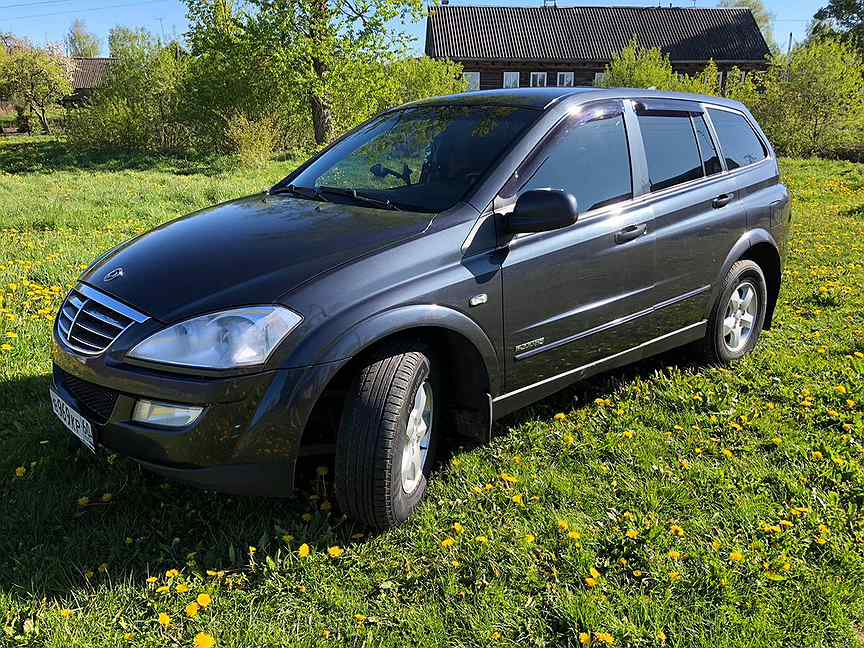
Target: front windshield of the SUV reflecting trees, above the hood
x=418, y=159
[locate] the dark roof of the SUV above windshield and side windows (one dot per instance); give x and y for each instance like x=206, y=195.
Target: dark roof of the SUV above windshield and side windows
x=543, y=98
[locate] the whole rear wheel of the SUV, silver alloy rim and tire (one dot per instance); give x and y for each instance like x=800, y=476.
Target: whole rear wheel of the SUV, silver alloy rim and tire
x=738, y=314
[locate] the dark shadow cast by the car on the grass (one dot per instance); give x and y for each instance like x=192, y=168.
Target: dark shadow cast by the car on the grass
x=75, y=519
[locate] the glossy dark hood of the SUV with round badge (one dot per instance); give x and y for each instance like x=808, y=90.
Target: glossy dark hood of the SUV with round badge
x=244, y=252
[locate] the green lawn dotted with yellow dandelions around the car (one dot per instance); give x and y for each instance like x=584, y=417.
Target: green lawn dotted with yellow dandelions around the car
x=761, y=462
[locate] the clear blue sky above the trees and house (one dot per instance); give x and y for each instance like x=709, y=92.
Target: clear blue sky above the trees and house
x=49, y=20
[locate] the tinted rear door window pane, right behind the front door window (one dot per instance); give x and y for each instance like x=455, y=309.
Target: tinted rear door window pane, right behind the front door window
x=670, y=146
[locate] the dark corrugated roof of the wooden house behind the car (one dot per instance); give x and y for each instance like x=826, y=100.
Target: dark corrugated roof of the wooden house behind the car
x=590, y=34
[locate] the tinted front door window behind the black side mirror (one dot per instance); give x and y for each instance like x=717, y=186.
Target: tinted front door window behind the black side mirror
x=590, y=160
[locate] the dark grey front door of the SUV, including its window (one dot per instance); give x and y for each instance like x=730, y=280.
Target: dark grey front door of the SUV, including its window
x=583, y=293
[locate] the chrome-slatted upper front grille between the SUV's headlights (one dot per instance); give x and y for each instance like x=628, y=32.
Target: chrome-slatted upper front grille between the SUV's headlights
x=90, y=321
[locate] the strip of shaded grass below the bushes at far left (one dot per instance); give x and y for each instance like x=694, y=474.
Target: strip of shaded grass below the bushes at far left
x=37, y=155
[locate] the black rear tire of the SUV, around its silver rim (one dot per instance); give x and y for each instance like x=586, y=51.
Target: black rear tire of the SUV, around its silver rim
x=717, y=345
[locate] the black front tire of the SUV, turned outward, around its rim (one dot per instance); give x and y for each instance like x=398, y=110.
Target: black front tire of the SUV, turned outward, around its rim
x=372, y=436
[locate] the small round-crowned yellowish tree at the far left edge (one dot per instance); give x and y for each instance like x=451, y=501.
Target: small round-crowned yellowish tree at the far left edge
x=37, y=79
